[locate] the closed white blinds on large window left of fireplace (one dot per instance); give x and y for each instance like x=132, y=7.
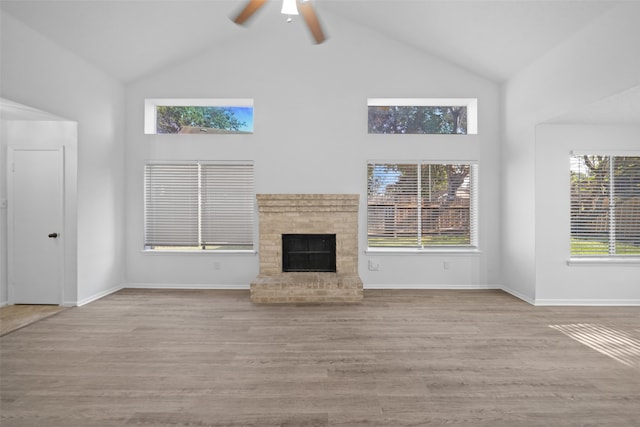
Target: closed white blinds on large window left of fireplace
x=199, y=205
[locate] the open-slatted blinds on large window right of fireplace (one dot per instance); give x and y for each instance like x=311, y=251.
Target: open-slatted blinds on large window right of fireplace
x=421, y=205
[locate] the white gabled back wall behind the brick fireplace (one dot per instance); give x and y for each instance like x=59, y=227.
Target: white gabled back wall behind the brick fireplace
x=311, y=137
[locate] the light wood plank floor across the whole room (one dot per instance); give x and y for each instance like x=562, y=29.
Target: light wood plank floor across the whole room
x=211, y=358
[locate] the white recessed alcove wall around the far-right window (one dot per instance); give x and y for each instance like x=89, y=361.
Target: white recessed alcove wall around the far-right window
x=557, y=282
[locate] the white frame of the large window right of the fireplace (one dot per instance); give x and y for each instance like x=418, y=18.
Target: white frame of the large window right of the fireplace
x=472, y=247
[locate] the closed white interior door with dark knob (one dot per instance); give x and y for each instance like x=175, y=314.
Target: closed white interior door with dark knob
x=36, y=250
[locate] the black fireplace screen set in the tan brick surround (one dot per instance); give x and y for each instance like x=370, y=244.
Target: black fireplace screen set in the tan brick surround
x=309, y=252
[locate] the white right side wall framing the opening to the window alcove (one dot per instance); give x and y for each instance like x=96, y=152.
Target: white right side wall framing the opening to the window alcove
x=600, y=60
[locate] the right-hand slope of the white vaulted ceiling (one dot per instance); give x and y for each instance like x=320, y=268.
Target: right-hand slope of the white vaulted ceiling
x=492, y=38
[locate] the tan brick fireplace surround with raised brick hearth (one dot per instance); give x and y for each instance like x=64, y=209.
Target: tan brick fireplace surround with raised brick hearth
x=307, y=214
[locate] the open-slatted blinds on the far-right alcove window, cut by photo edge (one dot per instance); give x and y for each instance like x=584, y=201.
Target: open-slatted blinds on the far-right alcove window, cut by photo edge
x=605, y=205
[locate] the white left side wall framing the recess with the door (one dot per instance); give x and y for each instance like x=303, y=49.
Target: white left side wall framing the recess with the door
x=41, y=74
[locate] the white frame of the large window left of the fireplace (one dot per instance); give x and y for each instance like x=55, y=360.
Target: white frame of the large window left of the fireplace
x=249, y=213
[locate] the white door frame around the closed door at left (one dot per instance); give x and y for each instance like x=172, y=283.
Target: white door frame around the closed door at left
x=11, y=217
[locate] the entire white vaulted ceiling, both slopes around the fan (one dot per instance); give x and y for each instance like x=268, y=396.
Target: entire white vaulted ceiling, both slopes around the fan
x=131, y=38
